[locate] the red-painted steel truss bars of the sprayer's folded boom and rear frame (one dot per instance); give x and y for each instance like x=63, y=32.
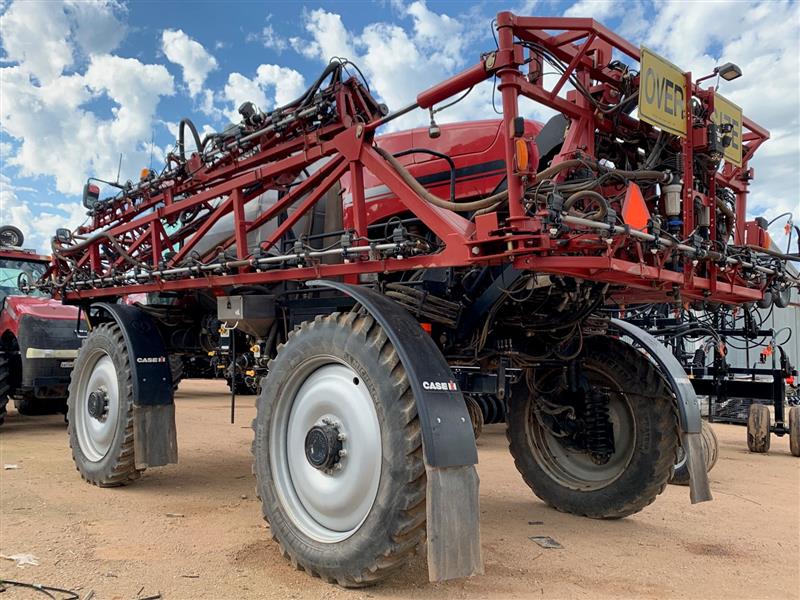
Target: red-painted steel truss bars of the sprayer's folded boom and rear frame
x=136, y=229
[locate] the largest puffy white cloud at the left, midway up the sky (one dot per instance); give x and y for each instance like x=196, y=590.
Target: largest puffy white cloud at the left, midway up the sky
x=60, y=138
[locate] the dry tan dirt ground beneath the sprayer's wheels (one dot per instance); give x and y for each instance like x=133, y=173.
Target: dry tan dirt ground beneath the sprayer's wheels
x=194, y=530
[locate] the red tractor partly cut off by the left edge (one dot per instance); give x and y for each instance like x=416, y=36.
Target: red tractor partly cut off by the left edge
x=38, y=339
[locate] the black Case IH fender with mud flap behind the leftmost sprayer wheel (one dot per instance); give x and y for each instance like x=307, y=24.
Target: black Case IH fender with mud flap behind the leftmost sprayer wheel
x=155, y=439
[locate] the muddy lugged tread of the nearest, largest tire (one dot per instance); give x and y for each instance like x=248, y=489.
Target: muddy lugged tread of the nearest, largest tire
x=408, y=531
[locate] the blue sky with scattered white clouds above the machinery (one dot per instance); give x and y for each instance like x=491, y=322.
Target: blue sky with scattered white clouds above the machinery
x=82, y=82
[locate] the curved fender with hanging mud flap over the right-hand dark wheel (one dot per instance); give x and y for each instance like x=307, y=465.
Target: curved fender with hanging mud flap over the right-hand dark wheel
x=688, y=407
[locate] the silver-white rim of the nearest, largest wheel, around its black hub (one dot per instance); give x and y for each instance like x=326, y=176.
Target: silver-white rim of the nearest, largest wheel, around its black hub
x=329, y=506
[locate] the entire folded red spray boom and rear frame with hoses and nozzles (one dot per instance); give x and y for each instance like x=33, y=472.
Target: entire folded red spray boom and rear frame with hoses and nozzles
x=657, y=212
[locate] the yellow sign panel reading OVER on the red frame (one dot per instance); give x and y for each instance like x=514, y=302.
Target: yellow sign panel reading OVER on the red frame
x=662, y=93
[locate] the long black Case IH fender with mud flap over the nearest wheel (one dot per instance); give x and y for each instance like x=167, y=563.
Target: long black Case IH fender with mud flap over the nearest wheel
x=448, y=442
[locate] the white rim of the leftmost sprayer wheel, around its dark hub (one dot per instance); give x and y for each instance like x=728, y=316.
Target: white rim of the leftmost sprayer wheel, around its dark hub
x=95, y=435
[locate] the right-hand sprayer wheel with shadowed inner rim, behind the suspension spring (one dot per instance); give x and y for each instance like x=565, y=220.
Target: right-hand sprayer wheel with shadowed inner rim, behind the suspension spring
x=643, y=413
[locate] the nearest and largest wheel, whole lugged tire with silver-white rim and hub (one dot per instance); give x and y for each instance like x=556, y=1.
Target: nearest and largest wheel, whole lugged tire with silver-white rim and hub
x=338, y=452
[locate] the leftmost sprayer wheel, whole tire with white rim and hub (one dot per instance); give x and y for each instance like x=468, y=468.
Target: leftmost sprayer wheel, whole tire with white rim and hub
x=101, y=409
